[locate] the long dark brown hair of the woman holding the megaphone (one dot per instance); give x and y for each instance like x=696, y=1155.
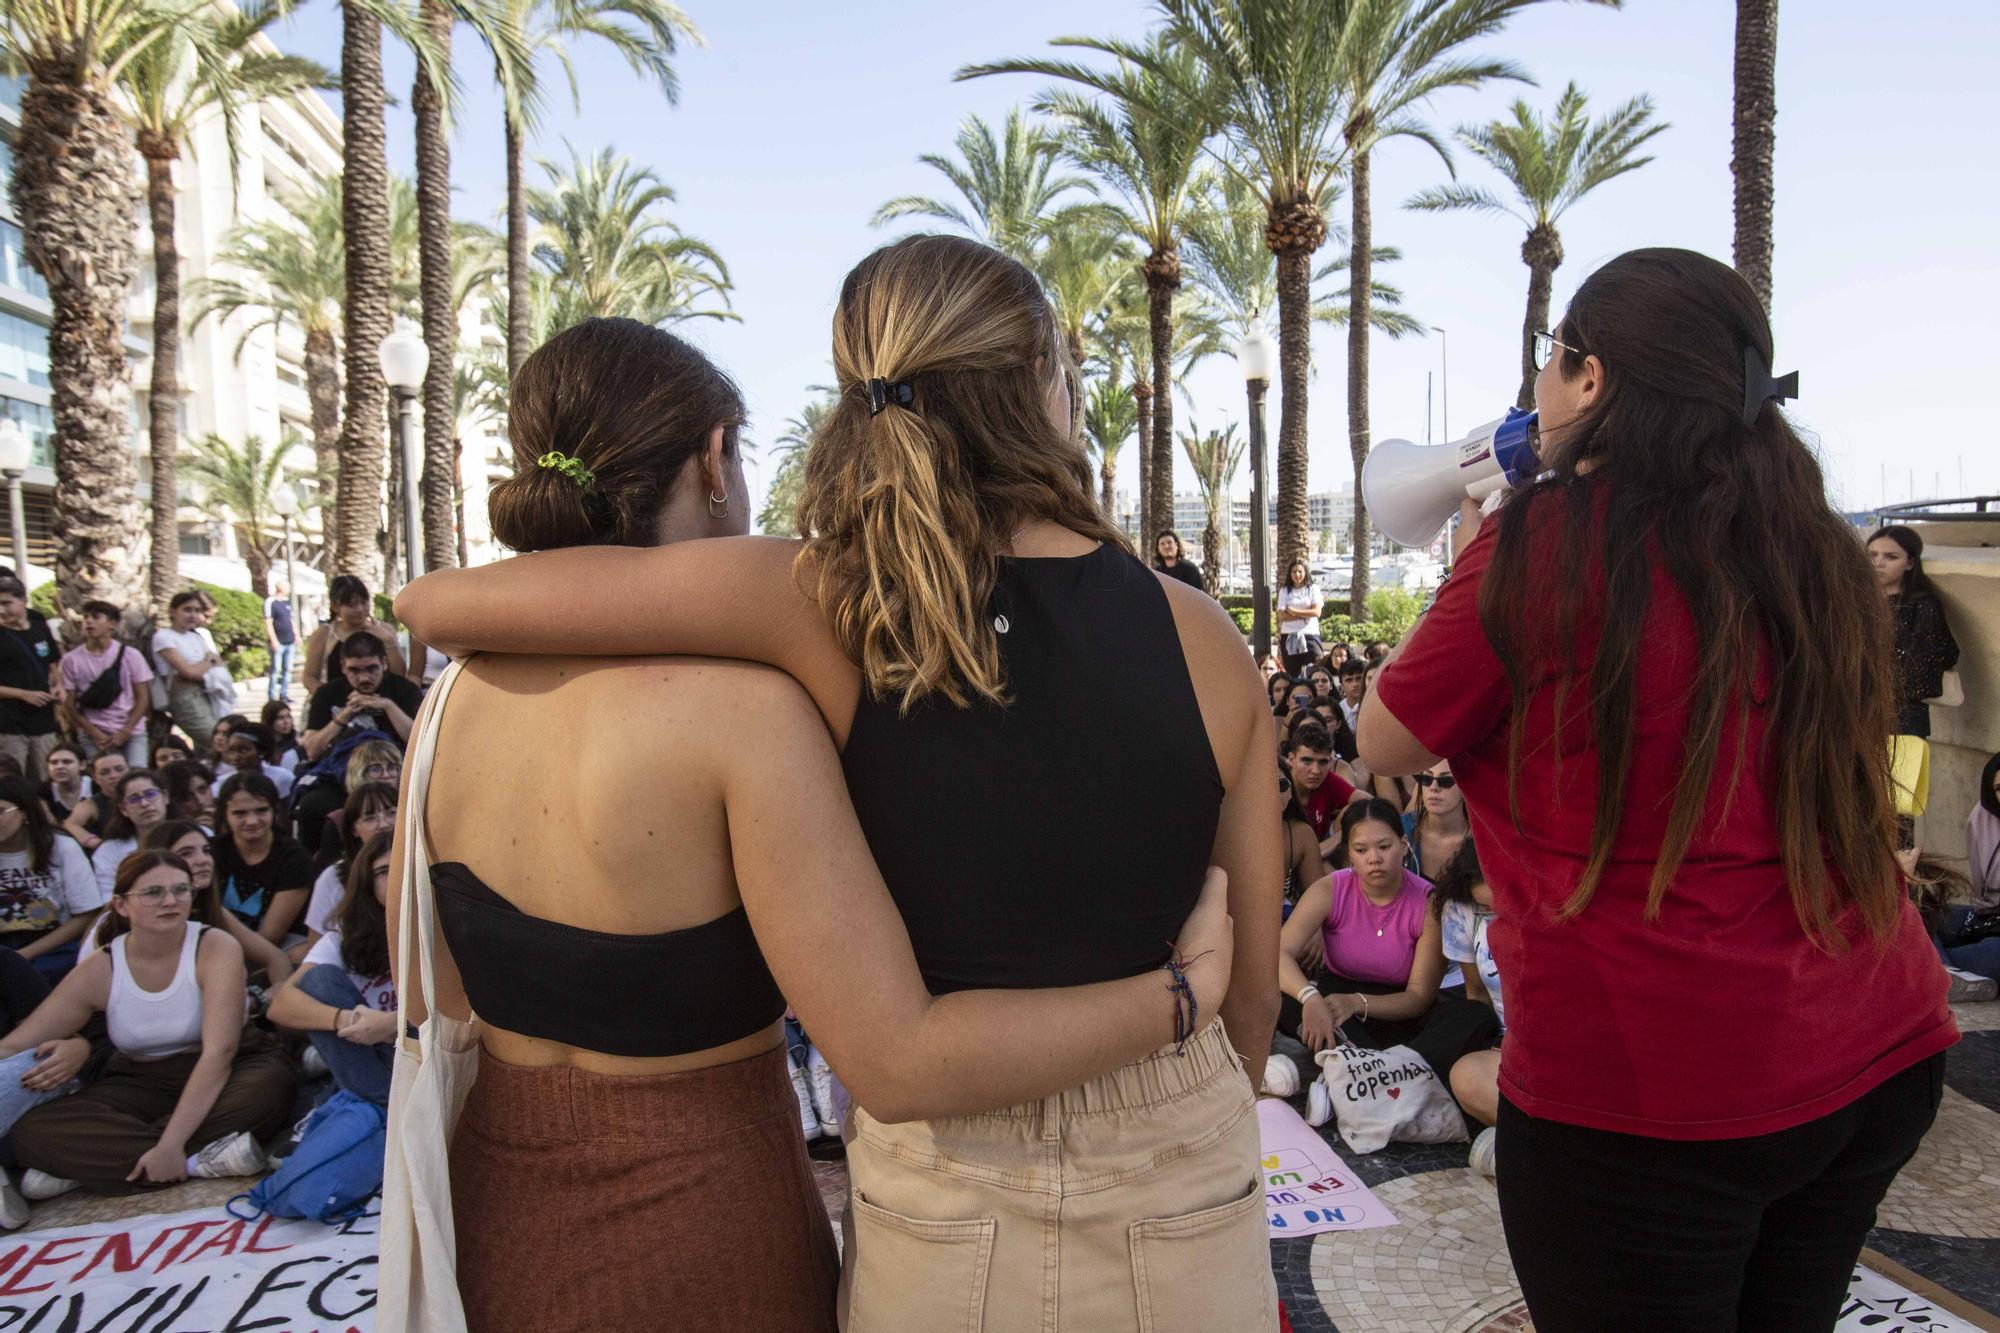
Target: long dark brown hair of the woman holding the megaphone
x=1739, y=519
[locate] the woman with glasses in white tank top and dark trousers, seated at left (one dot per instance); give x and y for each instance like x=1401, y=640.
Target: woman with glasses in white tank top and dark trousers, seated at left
x=191, y=1090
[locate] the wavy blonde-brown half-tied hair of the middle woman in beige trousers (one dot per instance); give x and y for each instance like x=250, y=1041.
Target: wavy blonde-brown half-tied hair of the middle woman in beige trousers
x=905, y=509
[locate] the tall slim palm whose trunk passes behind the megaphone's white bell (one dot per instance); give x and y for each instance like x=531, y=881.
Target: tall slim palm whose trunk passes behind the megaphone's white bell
x=1393, y=57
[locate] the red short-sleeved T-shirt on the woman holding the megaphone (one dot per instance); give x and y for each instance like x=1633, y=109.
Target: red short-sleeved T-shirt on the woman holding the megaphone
x=1715, y=1022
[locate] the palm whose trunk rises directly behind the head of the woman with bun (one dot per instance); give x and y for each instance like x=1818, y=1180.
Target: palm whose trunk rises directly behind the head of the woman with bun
x=647, y=33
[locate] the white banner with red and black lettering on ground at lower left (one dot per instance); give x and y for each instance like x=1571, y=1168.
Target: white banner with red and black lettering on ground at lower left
x=201, y=1272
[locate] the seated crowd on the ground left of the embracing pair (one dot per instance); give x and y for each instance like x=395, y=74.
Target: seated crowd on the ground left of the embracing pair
x=197, y=948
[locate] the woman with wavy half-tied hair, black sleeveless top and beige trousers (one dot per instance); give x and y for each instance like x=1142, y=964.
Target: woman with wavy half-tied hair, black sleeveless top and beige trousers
x=985, y=649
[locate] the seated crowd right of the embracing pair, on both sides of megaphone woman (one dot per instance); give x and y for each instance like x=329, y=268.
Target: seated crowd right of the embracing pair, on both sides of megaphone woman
x=1387, y=906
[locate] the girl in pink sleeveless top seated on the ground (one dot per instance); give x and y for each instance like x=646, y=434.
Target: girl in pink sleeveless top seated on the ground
x=1379, y=986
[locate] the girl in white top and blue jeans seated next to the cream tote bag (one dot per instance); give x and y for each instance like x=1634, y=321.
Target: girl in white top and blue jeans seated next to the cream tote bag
x=343, y=996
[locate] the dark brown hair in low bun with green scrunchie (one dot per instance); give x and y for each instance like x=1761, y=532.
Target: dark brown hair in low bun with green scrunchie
x=631, y=405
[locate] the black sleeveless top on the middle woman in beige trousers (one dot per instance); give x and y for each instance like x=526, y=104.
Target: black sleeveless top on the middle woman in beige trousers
x=1061, y=840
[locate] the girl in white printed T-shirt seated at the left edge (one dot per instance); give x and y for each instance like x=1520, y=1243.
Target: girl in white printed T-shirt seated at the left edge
x=47, y=888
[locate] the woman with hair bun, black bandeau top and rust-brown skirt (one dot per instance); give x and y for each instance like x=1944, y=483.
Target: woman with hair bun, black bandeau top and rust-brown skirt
x=631, y=936
